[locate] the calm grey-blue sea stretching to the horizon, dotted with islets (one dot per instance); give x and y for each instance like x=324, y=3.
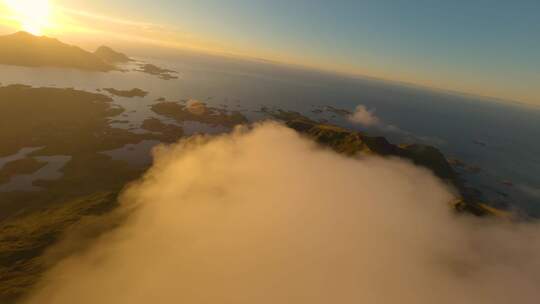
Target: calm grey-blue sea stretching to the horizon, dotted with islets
x=502, y=139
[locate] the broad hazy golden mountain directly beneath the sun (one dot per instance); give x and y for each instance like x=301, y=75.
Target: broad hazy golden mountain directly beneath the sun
x=24, y=49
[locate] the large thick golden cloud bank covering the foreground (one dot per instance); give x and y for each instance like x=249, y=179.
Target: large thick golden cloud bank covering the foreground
x=264, y=216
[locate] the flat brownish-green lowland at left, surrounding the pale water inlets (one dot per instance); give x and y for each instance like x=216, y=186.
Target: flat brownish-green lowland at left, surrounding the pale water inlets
x=63, y=122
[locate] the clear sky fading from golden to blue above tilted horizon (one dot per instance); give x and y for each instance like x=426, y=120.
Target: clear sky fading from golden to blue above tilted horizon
x=482, y=47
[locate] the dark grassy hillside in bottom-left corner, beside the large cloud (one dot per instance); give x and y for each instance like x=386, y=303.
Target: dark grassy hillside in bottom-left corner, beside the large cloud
x=25, y=239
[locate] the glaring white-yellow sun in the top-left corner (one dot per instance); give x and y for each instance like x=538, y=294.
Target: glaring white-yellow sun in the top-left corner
x=32, y=16
